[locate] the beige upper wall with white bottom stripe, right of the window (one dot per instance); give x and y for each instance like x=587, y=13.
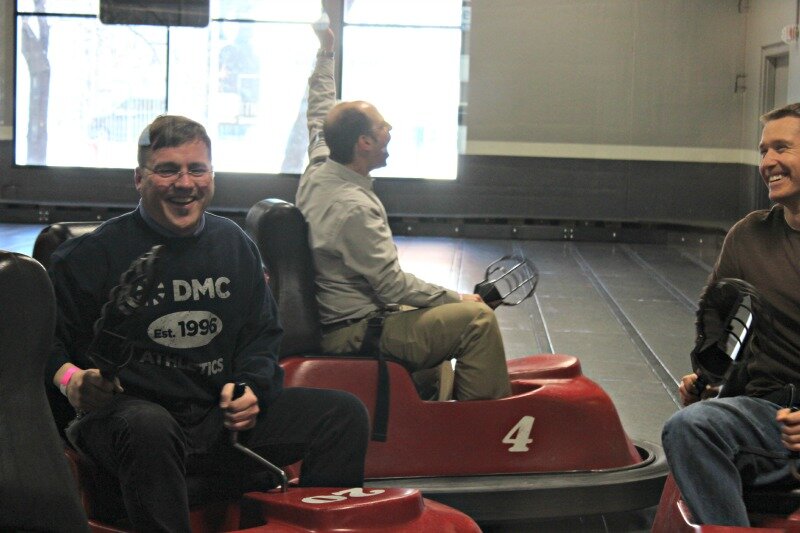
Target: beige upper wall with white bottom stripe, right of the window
x=626, y=79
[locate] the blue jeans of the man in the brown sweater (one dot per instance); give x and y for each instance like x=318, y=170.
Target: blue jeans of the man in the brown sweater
x=709, y=447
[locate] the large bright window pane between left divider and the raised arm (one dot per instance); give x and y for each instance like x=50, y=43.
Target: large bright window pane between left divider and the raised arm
x=247, y=90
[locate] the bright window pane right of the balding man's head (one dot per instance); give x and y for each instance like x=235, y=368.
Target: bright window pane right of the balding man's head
x=412, y=77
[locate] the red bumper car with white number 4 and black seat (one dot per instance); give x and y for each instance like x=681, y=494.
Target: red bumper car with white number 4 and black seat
x=554, y=448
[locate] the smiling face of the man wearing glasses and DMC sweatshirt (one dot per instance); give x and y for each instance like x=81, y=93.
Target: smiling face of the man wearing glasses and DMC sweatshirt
x=177, y=185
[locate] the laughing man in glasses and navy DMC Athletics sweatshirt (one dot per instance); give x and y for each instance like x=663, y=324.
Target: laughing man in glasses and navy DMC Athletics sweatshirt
x=210, y=323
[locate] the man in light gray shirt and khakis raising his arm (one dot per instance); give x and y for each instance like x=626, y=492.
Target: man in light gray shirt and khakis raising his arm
x=358, y=276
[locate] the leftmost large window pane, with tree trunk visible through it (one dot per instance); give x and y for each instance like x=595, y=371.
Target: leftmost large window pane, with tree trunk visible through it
x=95, y=110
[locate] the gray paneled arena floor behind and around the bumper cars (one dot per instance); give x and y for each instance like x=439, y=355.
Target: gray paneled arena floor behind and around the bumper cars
x=626, y=310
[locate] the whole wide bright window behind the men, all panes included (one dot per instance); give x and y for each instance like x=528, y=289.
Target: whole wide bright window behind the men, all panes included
x=84, y=90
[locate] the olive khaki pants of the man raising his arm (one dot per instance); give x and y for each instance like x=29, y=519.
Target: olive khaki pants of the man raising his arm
x=423, y=338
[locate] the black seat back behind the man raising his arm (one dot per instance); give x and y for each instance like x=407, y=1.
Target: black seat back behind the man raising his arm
x=281, y=234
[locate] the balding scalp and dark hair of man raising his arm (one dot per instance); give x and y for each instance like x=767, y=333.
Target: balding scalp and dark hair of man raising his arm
x=345, y=123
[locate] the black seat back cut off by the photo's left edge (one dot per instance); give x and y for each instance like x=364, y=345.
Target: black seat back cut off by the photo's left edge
x=37, y=491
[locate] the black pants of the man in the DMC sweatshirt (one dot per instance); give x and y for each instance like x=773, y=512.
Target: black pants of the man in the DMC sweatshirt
x=141, y=444
